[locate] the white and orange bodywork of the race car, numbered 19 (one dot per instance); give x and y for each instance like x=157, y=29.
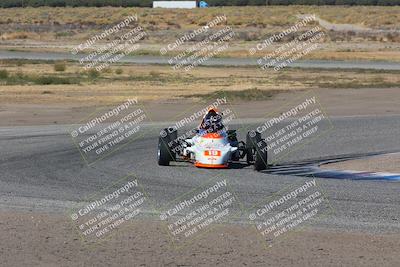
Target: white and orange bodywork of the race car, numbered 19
x=210, y=150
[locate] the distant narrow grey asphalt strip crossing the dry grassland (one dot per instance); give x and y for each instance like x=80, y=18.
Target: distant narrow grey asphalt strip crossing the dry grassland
x=325, y=64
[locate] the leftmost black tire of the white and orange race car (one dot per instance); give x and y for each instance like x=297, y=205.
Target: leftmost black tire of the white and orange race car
x=165, y=153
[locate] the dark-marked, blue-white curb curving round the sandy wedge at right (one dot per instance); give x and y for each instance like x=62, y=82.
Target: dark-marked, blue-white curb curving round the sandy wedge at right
x=311, y=168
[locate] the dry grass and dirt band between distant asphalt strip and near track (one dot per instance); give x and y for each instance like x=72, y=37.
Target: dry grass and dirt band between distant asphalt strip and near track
x=35, y=93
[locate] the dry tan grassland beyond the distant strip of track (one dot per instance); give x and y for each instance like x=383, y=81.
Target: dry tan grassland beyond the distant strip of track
x=60, y=29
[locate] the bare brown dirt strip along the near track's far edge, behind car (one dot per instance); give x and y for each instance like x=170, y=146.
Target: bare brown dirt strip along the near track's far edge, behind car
x=335, y=102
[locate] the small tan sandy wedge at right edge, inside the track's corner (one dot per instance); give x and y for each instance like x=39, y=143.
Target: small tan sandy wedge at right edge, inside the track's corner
x=385, y=163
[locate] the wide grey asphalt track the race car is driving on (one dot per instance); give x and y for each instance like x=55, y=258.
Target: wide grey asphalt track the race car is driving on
x=42, y=170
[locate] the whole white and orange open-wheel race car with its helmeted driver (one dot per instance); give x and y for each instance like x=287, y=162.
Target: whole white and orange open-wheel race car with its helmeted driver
x=212, y=146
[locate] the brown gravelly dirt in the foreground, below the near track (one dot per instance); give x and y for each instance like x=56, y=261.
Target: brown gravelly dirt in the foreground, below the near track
x=49, y=240
